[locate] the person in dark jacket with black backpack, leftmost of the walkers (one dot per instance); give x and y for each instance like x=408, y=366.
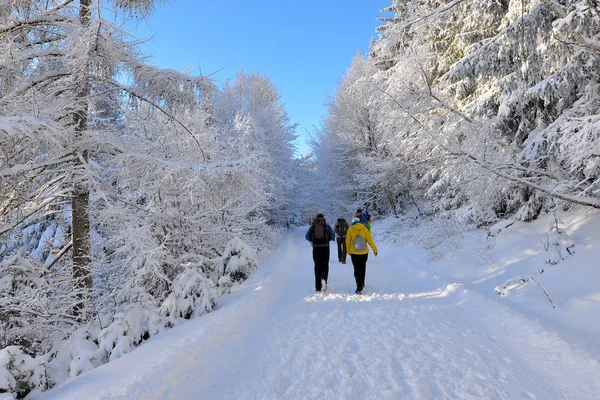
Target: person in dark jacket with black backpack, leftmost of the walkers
x=319, y=235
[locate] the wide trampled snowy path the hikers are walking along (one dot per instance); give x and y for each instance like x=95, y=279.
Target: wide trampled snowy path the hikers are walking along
x=411, y=336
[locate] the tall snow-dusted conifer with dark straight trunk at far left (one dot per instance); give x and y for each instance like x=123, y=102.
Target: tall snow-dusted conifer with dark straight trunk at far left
x=73, y=86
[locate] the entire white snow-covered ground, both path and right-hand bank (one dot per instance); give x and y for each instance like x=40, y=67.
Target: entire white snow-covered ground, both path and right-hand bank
x=423, y=329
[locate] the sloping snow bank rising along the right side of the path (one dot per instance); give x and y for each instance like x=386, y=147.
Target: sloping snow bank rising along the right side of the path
x=546, y=269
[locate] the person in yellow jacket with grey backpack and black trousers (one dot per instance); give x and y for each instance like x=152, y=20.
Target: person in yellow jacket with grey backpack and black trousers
x=357, y=238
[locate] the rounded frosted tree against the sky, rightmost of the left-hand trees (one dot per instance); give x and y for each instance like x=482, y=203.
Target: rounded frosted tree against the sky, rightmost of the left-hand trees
x=251, y=118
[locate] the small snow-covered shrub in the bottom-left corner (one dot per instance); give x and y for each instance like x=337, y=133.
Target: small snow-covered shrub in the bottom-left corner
x=21, y=373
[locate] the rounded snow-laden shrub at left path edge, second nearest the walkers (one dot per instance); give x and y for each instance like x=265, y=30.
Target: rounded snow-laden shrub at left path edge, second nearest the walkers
x=193, y=294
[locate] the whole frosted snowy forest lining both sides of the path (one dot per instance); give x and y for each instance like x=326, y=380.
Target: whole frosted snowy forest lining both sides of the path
x=132, y=197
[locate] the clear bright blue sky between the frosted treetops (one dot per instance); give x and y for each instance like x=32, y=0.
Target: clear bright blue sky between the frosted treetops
x=303, y=47
